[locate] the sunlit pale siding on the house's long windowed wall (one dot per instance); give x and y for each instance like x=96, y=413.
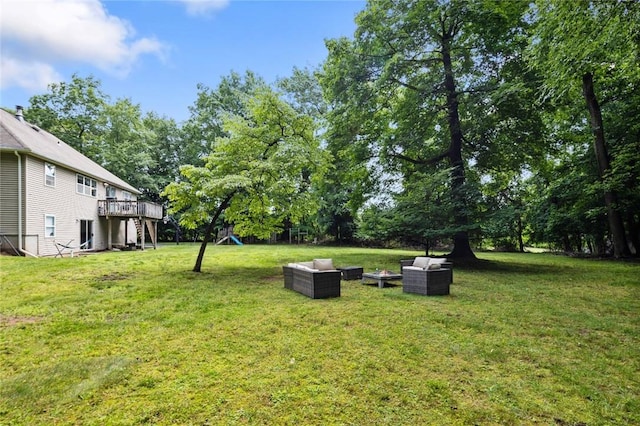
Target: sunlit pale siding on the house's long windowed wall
x=68, y=206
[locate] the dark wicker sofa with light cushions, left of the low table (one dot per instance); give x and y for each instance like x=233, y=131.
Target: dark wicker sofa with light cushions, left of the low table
x=317, y=279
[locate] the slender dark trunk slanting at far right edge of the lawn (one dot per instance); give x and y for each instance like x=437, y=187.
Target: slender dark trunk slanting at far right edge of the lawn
x=616, y=226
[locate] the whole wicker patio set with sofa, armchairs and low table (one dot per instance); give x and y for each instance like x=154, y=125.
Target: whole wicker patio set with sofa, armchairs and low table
x=319, y=278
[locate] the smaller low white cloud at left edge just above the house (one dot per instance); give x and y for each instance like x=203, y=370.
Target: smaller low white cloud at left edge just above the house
x=33, y=76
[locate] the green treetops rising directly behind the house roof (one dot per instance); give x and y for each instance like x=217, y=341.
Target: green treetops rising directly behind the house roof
x=144, y=151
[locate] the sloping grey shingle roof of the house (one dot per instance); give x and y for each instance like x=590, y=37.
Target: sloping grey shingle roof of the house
x=21, y=136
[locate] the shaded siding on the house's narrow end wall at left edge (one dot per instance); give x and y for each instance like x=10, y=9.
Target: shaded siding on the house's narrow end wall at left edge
x=9, y=196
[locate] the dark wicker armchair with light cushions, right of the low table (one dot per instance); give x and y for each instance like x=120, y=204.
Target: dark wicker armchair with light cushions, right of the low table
x=427, y=276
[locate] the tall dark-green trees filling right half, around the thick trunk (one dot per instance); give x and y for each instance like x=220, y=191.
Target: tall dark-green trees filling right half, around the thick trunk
x=500, y=121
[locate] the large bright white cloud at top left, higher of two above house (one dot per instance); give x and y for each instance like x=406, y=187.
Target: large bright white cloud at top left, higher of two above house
x=58, y=31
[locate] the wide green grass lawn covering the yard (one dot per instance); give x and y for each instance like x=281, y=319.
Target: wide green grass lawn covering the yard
x=137, y=338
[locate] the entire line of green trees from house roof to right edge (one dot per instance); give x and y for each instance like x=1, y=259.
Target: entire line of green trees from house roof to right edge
x=440, y=122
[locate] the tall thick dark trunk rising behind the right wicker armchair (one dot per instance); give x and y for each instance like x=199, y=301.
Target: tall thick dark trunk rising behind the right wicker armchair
x=461, y=245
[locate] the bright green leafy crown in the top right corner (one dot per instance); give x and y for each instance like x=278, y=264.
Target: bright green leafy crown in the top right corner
x=575, y=38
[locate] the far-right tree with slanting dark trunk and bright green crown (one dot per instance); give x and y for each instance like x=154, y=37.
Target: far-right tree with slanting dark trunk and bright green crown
x=590, y=50
